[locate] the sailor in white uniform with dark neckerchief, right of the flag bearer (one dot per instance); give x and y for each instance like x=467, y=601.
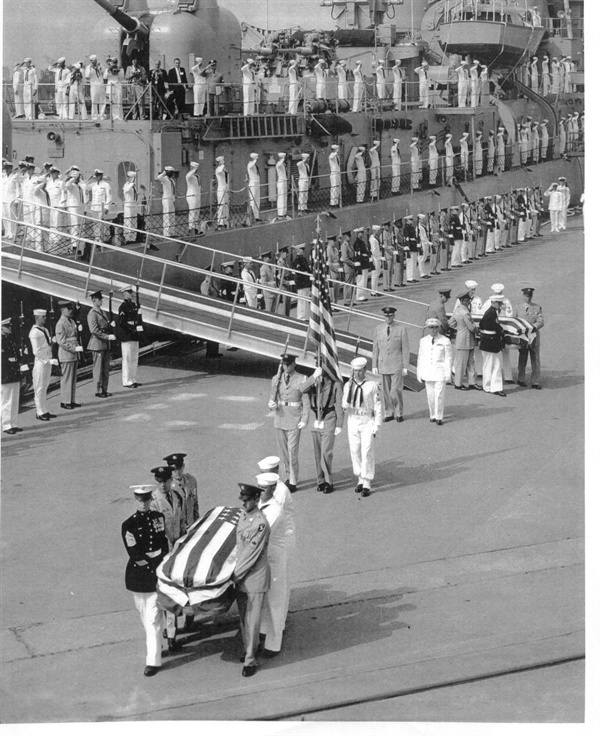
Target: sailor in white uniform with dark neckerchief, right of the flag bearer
x=363, y=407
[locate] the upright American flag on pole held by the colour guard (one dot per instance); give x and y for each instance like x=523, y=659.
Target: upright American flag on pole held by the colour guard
x=322, y=331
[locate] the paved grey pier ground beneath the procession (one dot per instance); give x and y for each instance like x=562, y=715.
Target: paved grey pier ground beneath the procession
x=466, y=562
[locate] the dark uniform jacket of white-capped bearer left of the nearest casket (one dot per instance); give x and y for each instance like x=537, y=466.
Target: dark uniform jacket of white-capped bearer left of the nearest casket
x=145, y=541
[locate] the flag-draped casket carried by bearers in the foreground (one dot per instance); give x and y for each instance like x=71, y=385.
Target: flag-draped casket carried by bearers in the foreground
x=196, y=574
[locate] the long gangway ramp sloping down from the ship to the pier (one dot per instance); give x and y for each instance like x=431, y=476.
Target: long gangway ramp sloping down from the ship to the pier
x=166, y=305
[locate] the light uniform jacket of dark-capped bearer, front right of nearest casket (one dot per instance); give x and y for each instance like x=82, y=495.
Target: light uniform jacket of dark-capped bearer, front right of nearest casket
x=252, y=572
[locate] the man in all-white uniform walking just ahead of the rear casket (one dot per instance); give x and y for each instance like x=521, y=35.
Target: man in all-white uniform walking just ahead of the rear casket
x=434, y=366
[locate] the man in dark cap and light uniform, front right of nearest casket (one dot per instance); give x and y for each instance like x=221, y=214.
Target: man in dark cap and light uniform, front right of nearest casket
x=252, y=574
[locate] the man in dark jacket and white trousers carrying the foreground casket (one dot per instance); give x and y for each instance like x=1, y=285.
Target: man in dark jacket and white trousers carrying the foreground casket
x=146, y=544
